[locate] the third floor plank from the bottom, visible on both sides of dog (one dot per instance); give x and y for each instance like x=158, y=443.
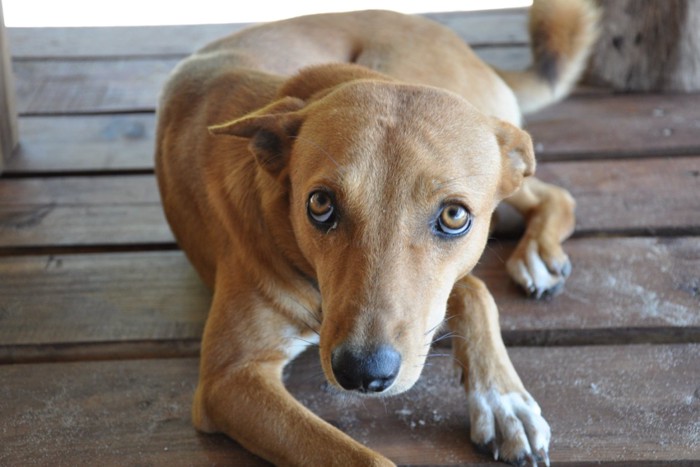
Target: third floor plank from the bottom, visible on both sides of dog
x=624, y=196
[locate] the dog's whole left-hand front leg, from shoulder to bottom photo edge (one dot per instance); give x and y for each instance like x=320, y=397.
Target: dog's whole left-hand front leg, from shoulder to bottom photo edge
x=247, y=343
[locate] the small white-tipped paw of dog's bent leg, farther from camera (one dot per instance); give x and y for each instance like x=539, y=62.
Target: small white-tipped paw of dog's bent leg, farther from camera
x=540, y=267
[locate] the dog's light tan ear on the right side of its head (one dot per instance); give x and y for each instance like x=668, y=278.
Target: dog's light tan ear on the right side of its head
x=517, y=156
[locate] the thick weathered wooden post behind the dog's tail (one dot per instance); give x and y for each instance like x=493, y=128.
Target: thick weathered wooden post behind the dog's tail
x=648, y=45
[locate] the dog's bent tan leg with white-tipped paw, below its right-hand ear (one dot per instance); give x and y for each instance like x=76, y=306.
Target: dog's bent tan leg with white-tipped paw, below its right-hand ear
x=539, y=263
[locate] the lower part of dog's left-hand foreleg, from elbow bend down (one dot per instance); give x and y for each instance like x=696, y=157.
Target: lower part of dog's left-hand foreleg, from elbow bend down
x=251, y=405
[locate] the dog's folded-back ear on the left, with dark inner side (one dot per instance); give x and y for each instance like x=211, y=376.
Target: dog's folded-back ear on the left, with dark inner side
x=270, y=130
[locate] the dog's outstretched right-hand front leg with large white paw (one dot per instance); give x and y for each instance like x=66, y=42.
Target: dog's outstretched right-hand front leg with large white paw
x=504, y=417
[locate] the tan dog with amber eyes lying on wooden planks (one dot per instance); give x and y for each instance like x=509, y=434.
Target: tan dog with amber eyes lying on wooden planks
x=333, y=178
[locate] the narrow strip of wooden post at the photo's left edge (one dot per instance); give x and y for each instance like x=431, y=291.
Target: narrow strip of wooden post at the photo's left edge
x=8, y=115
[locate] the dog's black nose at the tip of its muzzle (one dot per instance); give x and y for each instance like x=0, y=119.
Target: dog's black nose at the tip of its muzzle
x=366, y=371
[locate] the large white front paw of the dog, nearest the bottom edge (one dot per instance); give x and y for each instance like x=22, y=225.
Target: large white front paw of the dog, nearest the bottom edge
x=510, y=426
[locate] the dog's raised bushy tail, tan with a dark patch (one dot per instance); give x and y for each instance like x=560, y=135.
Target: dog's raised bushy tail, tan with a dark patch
x=562, y=34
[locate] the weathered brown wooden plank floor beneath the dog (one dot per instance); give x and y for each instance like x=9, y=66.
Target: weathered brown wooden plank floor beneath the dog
x=101, y=315
